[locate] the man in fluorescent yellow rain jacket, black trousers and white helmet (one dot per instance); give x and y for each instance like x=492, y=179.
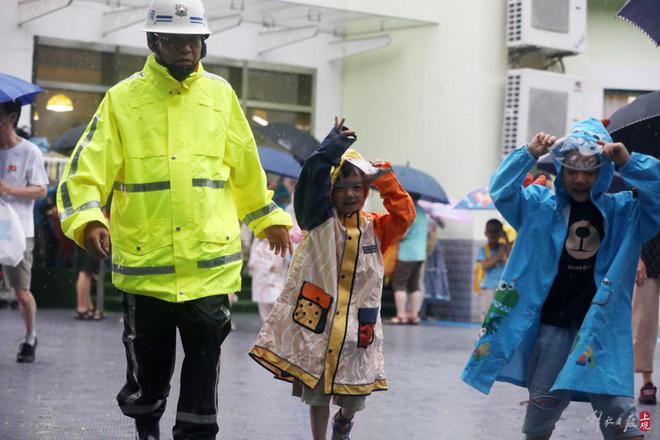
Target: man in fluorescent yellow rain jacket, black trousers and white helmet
x=174, y=145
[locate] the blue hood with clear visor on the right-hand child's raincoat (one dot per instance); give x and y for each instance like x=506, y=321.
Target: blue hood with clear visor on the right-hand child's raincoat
x=586, y=132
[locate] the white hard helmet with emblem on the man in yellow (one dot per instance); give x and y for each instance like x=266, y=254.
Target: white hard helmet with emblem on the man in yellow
x=176, y=17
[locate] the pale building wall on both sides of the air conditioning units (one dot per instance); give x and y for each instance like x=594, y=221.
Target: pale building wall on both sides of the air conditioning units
x=435, y=96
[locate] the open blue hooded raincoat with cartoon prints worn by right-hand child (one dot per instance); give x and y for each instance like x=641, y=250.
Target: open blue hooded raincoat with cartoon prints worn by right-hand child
x=601, y=360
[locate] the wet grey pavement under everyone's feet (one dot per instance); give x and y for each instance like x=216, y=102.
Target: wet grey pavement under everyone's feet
x=68, y=393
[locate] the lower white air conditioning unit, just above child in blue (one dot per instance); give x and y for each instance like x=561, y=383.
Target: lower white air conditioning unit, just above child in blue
x=535, y=101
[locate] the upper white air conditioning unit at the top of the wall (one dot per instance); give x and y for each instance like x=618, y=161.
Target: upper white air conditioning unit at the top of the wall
x=553, y=26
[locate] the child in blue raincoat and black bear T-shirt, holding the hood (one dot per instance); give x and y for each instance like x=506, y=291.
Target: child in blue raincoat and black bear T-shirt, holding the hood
x=560, y=321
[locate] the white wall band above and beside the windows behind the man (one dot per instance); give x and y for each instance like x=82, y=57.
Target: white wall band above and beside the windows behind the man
x=82, y=22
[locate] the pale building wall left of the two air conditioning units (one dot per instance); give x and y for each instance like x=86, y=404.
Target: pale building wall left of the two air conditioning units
x=434, y=98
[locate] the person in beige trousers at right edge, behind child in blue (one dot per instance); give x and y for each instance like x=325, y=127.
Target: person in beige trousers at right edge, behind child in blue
x=645, y=317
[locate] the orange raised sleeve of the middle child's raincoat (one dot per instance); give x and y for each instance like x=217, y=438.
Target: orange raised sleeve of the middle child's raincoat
x=391, y=226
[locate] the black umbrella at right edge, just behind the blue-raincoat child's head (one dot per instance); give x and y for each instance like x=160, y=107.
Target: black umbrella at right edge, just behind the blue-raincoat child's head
x=637, y=124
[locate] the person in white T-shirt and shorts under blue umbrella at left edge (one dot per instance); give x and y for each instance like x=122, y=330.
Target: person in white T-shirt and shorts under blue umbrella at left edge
x=23, y=180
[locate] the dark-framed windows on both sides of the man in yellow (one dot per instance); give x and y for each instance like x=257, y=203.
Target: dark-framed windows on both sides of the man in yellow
x=84, y=72
